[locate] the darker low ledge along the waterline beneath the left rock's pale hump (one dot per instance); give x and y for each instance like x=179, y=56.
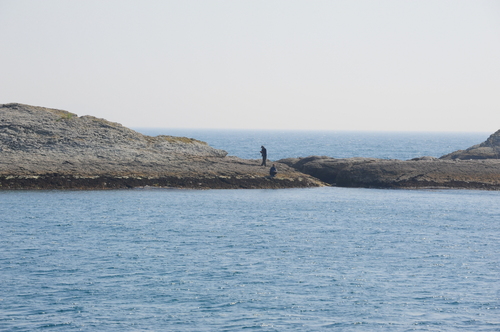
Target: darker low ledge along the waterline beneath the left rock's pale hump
x=186, y=172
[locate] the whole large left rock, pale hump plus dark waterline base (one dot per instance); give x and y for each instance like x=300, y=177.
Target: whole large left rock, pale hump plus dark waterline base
x=48, y=148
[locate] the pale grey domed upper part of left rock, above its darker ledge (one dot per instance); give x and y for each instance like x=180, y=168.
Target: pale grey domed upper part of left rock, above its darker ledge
x=31, y=129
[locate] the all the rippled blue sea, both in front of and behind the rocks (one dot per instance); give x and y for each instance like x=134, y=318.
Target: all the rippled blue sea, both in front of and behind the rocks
x=316, y=259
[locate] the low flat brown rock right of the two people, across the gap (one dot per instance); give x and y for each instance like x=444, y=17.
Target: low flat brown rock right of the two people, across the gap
x=422, y=173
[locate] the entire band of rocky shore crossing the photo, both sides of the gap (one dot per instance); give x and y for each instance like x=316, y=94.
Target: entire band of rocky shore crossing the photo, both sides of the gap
x=42, y=148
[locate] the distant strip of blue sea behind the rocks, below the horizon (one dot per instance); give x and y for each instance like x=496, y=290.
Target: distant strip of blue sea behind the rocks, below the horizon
x=338, y=144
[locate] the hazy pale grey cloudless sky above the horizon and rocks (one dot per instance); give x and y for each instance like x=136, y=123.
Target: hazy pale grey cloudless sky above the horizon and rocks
x=425, y=65
